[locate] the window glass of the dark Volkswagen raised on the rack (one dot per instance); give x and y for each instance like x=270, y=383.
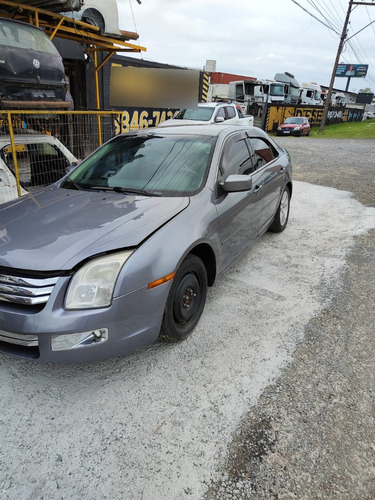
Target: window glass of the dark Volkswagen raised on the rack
x=25, y=37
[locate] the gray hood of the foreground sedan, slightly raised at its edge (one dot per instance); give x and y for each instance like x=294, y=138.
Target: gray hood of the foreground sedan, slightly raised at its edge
x=57, y=228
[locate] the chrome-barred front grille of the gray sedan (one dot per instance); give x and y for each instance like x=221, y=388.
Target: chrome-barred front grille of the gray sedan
x=24, y=290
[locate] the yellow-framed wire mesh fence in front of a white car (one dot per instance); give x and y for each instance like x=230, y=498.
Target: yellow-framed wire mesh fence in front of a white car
x=37, y=147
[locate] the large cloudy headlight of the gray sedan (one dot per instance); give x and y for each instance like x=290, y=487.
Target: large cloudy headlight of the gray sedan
x=92, y=286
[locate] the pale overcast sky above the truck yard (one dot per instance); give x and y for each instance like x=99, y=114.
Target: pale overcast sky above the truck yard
x=253, y=37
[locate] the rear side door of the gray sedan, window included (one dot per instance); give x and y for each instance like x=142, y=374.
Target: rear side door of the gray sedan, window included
x=269, y=174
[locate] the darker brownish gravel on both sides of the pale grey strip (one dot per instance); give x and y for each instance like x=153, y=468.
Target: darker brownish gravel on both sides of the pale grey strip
x=312, y=433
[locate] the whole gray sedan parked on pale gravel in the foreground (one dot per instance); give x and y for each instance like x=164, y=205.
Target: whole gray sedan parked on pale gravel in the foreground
x=121, y=250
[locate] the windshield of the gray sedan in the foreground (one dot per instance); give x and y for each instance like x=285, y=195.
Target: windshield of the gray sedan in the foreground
x=154, y=165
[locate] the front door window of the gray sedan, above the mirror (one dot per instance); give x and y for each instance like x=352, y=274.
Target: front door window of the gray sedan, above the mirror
x=236, y=158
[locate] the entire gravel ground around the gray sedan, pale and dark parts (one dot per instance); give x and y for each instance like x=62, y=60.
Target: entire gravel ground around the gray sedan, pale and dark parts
x=272, y=397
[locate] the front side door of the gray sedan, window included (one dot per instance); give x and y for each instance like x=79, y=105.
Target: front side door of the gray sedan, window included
x=239, y=213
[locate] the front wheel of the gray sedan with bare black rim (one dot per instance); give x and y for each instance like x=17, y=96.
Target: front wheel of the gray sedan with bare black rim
x=186, y=300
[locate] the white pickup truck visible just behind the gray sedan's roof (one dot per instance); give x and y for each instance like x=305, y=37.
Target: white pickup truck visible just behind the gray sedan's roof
x=210, y=112
